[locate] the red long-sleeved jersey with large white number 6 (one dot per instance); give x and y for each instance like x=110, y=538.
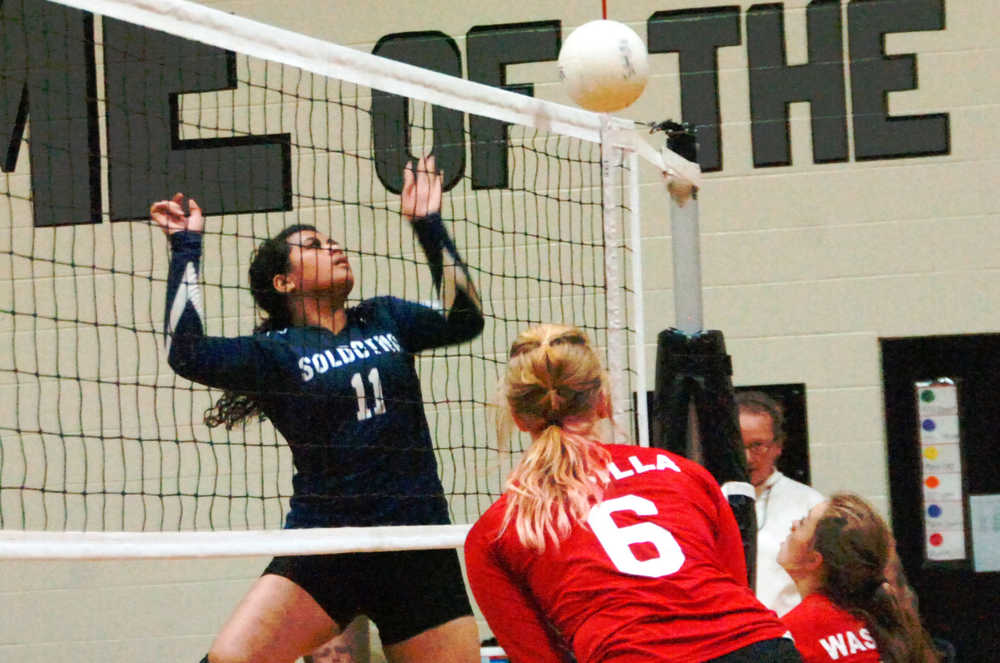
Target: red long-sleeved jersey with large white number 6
x=658, y=573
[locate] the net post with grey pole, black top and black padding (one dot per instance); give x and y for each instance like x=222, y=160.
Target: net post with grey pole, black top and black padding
x=693, y=409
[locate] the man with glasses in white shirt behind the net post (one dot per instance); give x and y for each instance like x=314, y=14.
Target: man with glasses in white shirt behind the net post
x=780, y=500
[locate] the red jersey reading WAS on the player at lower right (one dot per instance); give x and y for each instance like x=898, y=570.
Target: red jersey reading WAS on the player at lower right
x=824, y=632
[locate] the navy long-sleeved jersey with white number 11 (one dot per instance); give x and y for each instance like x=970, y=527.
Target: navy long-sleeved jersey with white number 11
x=348, y=404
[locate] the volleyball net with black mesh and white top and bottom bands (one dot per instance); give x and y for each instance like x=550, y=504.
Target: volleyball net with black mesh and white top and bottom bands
x=106, y=106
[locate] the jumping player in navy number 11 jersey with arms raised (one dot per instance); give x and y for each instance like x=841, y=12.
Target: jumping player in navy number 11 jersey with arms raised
x=340, y=385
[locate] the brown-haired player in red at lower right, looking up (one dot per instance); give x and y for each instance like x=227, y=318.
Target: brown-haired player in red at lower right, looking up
x=849, y=613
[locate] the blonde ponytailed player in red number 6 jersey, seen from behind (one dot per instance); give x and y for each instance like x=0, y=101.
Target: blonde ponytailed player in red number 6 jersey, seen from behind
x=607, y=552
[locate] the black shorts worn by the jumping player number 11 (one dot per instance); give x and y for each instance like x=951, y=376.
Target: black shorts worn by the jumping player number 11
x=404, y=592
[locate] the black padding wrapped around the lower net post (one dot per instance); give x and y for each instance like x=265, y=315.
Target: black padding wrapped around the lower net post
x=695, y=368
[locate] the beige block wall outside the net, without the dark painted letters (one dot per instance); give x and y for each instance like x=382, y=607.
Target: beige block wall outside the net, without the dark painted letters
x=805, y=268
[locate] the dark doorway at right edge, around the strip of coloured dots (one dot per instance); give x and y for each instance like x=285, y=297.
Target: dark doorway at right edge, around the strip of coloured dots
x=957, y=603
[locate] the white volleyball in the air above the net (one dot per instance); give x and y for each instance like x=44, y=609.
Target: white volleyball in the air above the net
x=604, y=66
